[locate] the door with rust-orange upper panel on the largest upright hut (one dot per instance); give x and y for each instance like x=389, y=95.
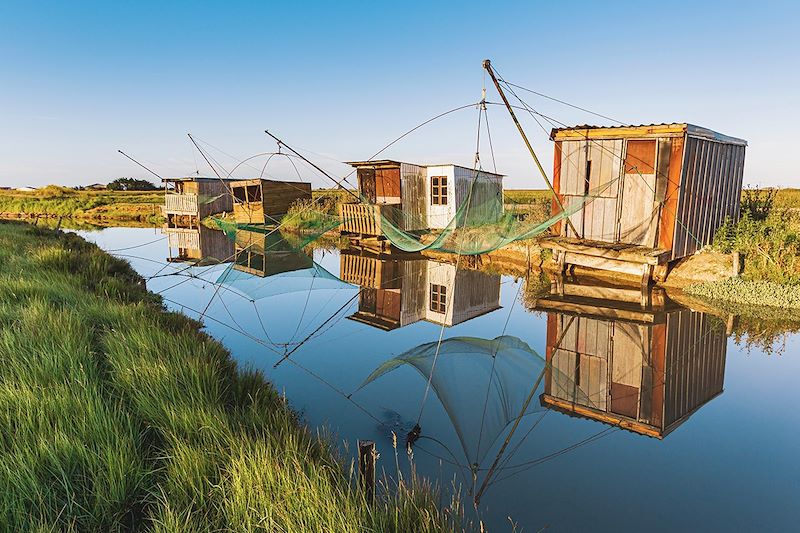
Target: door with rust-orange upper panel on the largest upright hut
x=638, y=210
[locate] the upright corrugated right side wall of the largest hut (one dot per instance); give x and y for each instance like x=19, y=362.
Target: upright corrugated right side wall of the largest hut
x=711, y=185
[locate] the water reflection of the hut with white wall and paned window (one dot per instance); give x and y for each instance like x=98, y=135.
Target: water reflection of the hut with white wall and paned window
x=397, y=291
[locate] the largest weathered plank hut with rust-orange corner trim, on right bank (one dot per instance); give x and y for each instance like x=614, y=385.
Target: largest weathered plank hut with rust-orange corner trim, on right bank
x=659, y=194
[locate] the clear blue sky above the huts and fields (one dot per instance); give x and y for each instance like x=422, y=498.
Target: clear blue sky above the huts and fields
x=78, y=80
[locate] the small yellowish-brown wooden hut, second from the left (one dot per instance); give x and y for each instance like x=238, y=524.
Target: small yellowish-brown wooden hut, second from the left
x=260, y=201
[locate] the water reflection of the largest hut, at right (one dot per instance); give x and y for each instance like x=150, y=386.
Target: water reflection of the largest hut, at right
x=645, y=366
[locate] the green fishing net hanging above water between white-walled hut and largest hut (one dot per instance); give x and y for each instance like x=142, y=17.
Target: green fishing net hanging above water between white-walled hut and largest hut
x=481, y=222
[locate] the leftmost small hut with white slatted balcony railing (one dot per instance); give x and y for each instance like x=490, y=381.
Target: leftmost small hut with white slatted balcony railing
x=190, y=199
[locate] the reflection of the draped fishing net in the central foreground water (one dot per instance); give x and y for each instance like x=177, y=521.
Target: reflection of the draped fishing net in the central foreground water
x=482, y=384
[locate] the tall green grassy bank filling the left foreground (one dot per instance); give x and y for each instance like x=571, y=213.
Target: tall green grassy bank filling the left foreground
x=116, y=414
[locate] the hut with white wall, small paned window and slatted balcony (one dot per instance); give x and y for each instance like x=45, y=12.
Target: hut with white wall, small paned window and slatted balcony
x=414, y=197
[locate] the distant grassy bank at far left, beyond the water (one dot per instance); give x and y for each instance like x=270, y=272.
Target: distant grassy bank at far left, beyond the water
x=54, y=201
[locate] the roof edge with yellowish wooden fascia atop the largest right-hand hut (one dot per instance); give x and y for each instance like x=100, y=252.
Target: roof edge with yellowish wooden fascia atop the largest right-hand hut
x=651, y=130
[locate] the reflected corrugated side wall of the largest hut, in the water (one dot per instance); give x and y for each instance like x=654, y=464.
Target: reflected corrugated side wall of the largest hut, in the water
x=695, y=363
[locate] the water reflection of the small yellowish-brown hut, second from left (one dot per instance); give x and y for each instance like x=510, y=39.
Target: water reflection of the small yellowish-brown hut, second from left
x=265, y=253
